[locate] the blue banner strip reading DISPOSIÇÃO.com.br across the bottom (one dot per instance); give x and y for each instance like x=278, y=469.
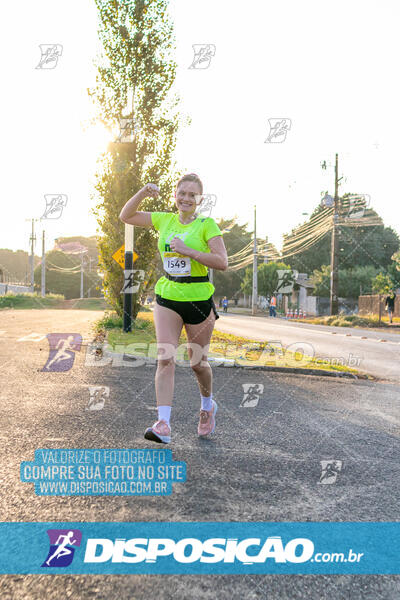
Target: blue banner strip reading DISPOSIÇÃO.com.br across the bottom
x=200, y=548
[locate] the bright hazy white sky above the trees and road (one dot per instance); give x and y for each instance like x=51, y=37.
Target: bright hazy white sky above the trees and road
x=331, y=68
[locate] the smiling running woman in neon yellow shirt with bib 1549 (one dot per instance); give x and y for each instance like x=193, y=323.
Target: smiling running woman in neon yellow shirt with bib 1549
x=188, y=245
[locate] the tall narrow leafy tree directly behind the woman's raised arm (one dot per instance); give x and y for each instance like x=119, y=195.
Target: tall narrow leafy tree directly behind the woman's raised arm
x=135, y=75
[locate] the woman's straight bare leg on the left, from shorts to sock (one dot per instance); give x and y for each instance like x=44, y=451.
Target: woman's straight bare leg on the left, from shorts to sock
x=168, y=326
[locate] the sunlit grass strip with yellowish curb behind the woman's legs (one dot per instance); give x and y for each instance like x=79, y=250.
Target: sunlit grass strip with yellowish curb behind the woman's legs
x=245, y=351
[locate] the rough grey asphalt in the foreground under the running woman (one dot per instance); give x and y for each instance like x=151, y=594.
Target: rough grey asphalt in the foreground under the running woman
x=262, y=464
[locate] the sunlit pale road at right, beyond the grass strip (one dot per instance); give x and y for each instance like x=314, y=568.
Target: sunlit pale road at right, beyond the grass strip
x=358, y=348
